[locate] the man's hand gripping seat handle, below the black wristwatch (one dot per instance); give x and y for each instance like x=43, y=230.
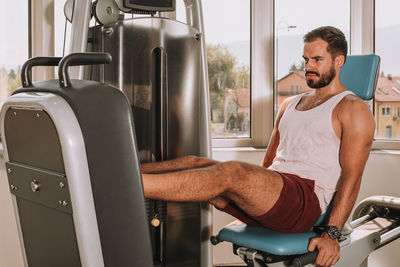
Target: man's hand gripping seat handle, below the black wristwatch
x=328, y=250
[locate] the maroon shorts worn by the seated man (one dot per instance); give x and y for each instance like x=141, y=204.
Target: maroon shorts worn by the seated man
x=296, y=210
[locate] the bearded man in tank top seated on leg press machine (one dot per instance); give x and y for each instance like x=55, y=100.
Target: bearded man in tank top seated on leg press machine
x=318, y=148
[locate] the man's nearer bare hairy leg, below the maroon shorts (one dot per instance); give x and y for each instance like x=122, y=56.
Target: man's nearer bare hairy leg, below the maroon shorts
x=252, y=188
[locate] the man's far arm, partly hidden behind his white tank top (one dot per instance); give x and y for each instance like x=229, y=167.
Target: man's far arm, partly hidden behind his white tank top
x=274, y=140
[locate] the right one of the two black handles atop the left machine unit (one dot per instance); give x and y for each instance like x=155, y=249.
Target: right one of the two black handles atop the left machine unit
x=76, y=59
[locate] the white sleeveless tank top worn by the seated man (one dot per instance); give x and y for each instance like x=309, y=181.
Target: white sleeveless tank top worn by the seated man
x=309, y=148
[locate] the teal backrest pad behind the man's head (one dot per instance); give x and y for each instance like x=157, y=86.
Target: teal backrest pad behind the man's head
x=360, y=74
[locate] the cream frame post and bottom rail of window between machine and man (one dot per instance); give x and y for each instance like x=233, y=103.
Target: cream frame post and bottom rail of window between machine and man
x=261, y=76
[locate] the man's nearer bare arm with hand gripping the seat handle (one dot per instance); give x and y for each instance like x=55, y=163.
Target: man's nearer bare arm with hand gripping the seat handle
x=357, y=133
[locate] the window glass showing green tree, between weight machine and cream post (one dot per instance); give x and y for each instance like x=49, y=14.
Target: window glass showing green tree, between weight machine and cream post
x=227, y=33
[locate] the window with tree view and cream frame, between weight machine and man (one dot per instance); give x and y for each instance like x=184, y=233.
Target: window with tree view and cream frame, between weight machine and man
x=239, y=109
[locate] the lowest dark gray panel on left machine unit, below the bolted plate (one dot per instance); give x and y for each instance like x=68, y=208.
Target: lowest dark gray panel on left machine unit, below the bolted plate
x=49, y=236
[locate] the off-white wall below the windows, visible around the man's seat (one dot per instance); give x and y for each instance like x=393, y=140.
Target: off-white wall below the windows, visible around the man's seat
x=381, y=177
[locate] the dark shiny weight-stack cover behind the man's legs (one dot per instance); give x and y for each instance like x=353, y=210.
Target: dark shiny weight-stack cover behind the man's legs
x=157, y=63
